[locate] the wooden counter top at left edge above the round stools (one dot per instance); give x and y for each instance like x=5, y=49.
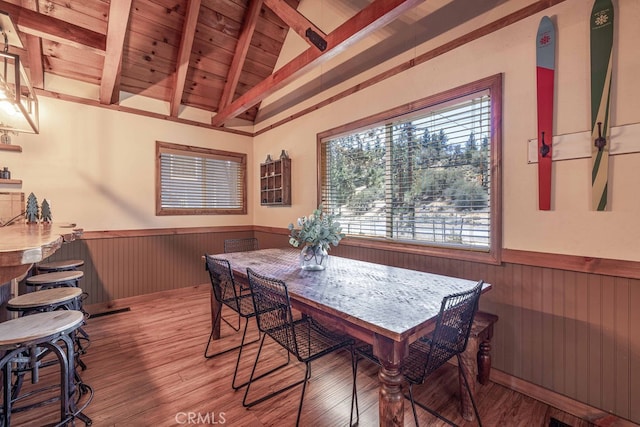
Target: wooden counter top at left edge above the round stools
x=21, y=245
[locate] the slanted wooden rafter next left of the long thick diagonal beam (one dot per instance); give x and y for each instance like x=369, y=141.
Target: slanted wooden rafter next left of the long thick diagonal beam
x=239, y=56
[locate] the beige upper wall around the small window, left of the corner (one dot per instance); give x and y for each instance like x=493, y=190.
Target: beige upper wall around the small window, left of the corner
x=96, y=166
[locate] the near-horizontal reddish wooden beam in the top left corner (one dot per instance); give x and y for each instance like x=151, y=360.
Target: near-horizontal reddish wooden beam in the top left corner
x=46, y=27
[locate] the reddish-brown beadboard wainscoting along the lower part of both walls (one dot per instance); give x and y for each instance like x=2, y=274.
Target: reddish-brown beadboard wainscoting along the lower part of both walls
x=570, y=332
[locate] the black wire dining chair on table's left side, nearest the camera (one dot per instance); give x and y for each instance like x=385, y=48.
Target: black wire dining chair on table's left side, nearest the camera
x=303, y=338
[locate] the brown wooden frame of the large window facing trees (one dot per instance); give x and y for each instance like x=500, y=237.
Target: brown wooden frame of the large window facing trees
x=491, y=84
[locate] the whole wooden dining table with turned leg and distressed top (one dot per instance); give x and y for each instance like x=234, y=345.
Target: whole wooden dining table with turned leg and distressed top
x=388, y=307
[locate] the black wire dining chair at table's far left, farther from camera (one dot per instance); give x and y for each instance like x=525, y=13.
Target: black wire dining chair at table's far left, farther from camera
x=224, y=291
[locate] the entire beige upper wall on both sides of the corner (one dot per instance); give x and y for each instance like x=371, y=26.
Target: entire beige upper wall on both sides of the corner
x=99, y=170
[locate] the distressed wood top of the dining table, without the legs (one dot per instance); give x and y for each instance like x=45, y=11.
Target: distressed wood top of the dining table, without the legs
x=390, y=301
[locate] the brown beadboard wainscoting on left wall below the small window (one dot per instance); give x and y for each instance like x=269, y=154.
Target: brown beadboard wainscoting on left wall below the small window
x=126, y=264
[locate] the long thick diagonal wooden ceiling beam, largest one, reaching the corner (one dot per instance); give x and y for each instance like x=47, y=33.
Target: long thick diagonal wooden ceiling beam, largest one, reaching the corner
x=376, y=15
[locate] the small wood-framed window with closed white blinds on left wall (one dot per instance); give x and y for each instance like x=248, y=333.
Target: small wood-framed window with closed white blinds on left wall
x=199, y=181
